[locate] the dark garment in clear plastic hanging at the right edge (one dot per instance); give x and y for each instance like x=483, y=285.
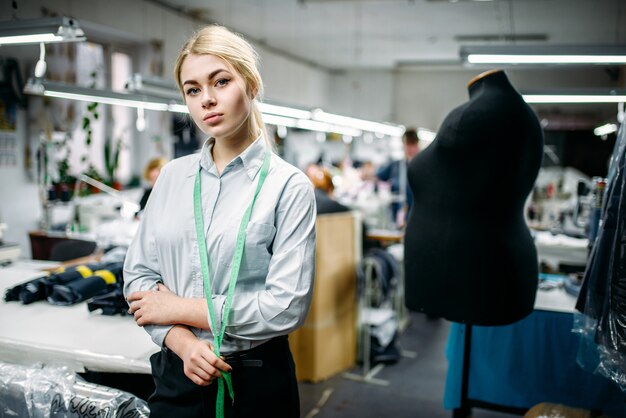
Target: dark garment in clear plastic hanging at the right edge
x=602, y=299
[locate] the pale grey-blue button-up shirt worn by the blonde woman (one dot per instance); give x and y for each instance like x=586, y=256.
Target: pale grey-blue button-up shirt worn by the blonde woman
x=275, y=283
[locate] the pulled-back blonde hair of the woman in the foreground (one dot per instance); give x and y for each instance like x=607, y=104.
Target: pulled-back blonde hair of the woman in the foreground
x=236, y=52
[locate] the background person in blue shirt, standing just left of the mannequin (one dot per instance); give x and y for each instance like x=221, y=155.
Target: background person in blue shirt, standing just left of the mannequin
x=395, y=170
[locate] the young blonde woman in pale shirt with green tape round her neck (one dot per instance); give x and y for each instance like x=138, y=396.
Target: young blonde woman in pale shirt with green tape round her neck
x=222, y=266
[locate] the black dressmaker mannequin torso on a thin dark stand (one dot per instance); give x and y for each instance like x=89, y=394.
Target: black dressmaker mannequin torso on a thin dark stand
x=469, y=256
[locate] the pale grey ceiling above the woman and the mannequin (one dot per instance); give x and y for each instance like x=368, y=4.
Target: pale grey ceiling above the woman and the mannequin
x=385, y=34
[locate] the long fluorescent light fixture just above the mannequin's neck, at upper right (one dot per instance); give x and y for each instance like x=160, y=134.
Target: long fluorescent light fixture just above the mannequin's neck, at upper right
x=545, y=54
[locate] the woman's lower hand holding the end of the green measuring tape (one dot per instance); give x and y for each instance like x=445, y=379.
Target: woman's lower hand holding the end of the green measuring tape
x=202, y=366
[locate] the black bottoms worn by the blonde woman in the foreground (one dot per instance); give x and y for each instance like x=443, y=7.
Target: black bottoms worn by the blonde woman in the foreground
x=264, y=382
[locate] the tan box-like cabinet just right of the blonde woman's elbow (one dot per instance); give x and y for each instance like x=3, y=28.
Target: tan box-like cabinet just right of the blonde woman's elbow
x=327, y=344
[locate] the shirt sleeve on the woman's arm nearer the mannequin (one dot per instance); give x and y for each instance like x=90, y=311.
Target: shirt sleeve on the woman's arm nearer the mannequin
x=283, y=304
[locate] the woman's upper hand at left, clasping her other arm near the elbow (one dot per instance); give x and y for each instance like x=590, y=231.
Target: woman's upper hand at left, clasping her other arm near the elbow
x=155, y=307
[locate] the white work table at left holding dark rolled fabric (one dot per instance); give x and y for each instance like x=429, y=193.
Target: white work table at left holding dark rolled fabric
x=68, y=335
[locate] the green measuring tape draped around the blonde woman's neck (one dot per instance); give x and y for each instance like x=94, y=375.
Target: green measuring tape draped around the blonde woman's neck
x=218, y=332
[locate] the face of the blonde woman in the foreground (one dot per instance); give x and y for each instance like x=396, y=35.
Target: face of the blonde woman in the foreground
x=216, y=98
